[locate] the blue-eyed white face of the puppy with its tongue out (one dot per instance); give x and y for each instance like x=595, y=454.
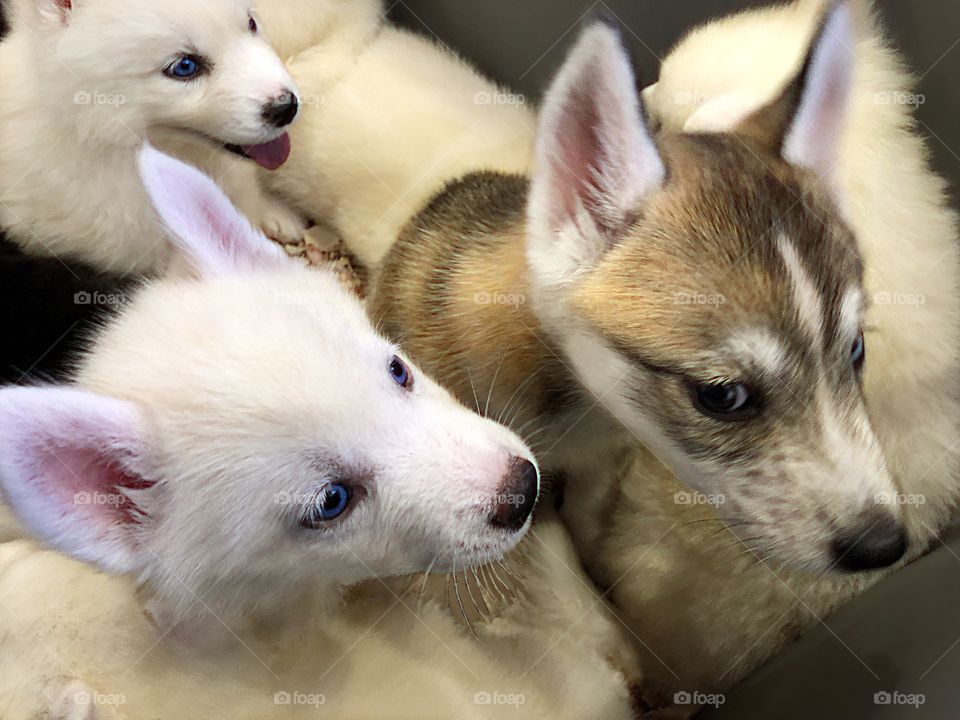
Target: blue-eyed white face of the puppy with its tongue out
x=203, y=68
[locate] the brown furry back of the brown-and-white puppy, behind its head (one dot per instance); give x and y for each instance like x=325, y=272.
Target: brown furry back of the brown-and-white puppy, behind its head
x=436, y=294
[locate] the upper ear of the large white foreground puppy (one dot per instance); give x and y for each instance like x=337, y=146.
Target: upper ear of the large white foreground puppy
x=211, y=234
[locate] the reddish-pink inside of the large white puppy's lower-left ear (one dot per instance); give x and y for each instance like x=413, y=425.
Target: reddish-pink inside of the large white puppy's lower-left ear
x=80, y=480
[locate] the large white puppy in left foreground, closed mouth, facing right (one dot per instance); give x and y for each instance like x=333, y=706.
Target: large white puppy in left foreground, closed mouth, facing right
x=243, y=442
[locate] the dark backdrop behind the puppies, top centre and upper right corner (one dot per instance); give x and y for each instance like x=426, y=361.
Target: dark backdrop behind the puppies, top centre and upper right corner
x=521, y=43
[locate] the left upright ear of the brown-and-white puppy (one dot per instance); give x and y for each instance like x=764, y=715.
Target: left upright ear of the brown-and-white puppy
x=595, y=158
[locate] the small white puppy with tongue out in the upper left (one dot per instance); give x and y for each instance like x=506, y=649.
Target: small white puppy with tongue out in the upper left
x=82, y=84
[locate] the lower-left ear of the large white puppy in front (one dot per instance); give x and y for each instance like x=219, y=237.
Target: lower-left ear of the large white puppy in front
x=71, y=469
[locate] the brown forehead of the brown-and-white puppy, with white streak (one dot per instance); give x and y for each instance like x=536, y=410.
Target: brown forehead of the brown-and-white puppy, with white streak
x=737, y=239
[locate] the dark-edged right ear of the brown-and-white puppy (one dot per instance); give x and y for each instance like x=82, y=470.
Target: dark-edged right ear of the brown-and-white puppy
x=805, y=122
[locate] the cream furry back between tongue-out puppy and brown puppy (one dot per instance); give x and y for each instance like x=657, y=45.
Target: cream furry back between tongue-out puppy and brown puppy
x=385, y=124
